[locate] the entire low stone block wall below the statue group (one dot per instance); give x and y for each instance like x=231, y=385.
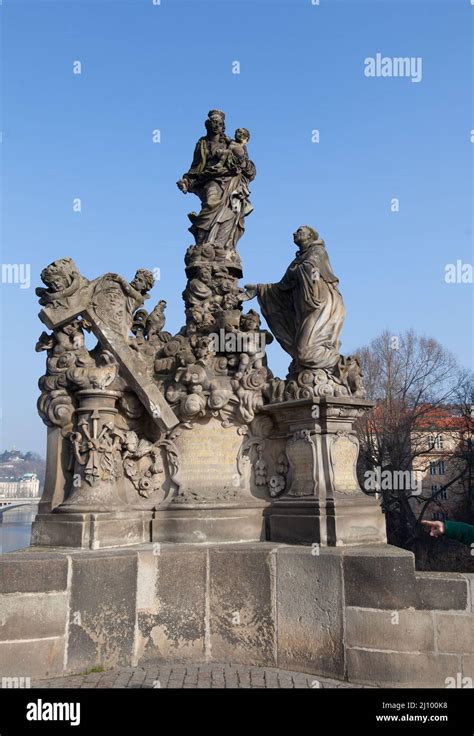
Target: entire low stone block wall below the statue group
x=361, y=614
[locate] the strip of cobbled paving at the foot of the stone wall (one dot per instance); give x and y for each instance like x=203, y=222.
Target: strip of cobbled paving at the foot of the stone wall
x=191, y=676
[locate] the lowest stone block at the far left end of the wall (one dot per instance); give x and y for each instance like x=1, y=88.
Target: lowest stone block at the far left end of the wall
x=34, y=657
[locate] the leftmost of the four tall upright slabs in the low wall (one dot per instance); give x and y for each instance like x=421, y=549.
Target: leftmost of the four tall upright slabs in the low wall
x=102, y=609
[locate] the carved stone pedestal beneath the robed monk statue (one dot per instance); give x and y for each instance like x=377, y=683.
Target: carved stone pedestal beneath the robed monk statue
x=322, y=501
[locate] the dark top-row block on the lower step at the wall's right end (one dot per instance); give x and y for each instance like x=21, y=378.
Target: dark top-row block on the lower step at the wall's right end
x=445, y=592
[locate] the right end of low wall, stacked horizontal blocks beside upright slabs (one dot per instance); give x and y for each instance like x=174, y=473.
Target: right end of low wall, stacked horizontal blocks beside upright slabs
x=405, y=628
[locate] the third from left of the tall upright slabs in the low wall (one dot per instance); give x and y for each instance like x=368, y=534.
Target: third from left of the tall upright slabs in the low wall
x=241, y=595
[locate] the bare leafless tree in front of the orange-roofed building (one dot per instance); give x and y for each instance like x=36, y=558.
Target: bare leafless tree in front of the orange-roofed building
x=410, y=378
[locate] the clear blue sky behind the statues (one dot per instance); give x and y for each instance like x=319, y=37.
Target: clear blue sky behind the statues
x=148, y=67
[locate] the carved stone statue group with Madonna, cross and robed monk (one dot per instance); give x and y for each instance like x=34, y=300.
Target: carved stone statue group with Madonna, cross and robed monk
x=144, y=383
